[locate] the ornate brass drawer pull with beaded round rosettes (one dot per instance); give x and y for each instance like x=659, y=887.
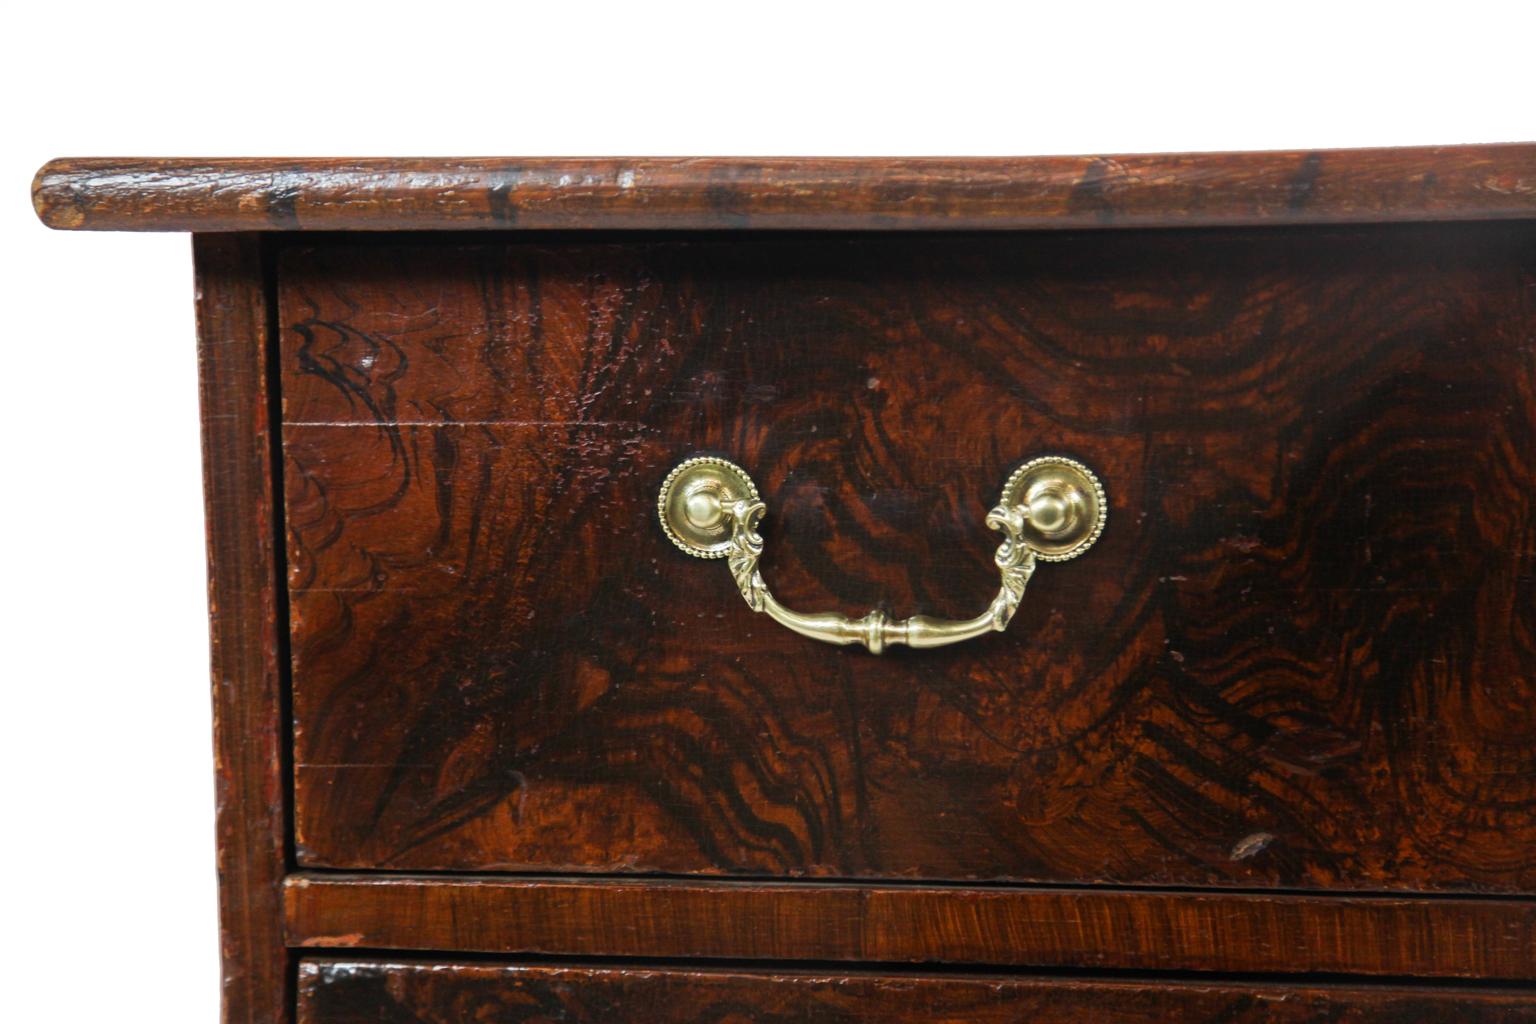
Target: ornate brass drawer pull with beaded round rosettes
x=1051, y=510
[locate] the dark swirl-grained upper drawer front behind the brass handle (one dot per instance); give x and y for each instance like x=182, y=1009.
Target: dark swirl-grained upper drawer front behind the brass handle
x=1303, y=655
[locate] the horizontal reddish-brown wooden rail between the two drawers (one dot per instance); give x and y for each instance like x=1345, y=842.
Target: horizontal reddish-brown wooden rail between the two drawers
x=1008, y=927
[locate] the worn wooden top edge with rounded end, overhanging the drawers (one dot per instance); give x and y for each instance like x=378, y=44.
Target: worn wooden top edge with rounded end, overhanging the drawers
x=1142, y=191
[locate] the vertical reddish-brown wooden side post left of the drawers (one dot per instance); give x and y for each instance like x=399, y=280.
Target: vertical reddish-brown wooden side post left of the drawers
x=243, y=589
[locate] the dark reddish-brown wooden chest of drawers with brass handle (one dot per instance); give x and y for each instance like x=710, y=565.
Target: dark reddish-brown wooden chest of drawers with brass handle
x=1259, y=432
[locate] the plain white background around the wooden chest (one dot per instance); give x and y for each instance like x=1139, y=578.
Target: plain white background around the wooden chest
x=107, y=825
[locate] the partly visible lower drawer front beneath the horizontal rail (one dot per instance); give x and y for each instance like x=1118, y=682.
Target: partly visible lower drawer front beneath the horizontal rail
x=366, y=993
